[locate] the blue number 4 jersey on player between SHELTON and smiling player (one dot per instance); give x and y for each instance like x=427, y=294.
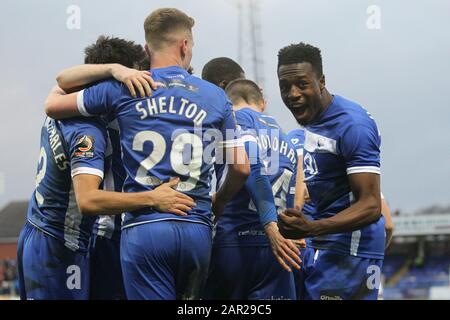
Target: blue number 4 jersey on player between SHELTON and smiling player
x=240, y=222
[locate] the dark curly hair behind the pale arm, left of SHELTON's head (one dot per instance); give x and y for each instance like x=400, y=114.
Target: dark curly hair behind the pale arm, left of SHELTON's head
x=116, y=50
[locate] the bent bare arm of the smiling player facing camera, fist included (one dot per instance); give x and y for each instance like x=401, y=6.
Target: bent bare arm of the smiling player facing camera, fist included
x=365, y=210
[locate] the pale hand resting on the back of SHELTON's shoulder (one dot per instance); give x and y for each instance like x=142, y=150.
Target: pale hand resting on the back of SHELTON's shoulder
x=135, y=80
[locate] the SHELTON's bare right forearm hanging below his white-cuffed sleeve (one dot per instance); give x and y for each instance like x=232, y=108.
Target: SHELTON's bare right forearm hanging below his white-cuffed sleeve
x=238, y=171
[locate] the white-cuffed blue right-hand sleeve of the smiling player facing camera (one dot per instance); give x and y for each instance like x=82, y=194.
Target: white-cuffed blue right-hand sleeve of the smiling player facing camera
x=360, y=147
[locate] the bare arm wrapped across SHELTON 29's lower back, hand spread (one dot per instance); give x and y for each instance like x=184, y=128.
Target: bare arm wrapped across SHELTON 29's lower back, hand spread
x=93, y=201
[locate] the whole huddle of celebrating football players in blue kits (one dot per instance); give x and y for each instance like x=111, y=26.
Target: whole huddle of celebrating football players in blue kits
x=123, y=205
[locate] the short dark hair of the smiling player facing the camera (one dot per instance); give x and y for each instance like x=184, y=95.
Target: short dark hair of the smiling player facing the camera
x=301, y=52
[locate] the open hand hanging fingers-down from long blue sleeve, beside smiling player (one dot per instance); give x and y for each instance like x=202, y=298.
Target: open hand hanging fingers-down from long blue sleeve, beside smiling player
x=286, y=252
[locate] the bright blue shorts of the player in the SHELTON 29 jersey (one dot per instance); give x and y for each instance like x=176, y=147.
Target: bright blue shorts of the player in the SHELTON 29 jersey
x=166, y=260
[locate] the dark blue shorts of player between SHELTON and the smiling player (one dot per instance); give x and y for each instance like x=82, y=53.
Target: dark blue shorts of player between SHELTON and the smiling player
x=248, y=273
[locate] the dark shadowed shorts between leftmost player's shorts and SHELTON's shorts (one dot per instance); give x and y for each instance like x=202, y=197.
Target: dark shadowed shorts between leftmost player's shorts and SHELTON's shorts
x=106, y=271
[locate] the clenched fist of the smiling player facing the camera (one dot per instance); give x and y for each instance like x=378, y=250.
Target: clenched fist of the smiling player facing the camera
x=294, y=225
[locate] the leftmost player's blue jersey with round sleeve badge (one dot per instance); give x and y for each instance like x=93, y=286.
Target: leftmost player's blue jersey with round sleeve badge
x=68, y=148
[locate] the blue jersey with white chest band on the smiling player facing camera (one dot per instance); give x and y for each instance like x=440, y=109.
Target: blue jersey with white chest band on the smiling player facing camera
x=345, y=140
